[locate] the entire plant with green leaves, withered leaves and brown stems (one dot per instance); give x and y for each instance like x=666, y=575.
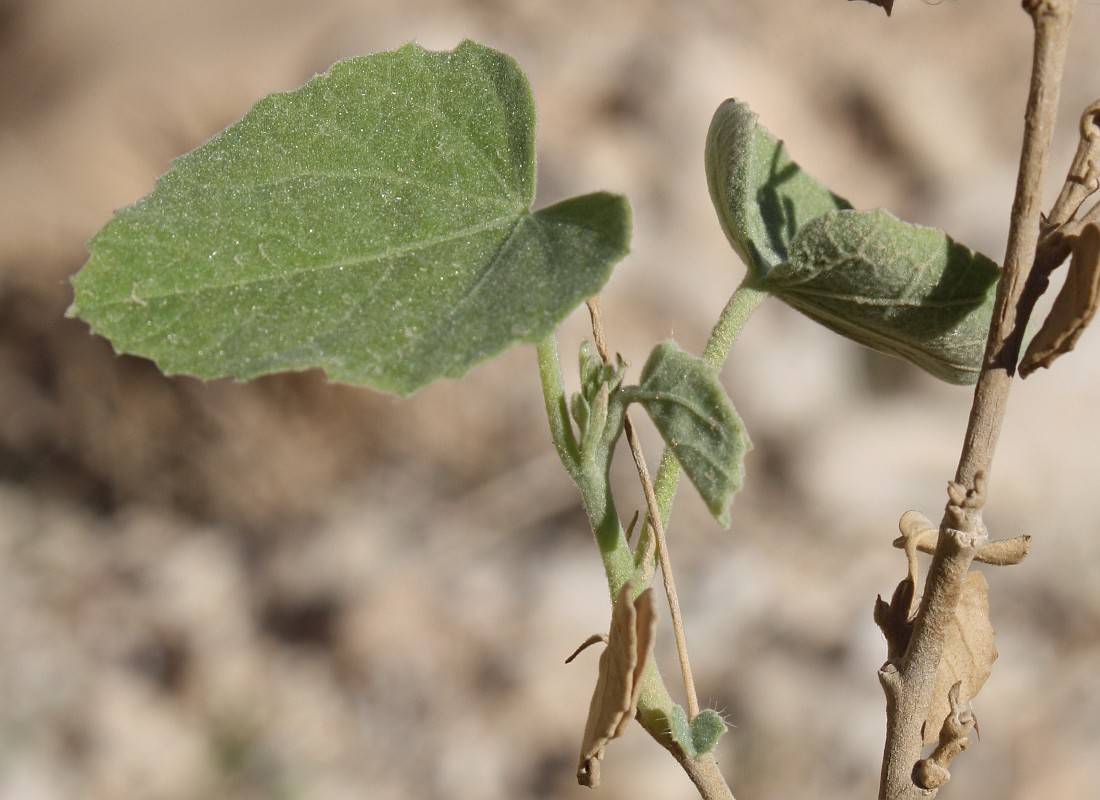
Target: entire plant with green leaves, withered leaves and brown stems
x=379, y=225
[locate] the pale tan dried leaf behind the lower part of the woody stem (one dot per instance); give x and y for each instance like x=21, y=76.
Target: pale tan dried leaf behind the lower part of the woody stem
x=969, y=654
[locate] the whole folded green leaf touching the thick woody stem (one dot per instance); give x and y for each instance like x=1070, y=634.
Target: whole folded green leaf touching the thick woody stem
x=903, y=290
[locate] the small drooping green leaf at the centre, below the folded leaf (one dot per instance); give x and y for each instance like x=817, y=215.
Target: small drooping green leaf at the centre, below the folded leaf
x=696, y=418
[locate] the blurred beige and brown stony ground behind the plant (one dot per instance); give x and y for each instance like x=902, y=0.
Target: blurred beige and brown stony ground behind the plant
x=289, y=589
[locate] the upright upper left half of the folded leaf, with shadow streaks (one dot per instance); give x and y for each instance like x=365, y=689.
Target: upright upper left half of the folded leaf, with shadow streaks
x=762, y=196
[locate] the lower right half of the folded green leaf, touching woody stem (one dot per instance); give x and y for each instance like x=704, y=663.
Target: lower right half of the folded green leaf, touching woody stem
x=897, y=288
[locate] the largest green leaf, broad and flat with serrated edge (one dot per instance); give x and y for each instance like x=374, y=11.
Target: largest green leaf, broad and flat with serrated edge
x=377, y=224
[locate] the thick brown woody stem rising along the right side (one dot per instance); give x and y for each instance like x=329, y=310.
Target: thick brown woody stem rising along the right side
x=909, y=682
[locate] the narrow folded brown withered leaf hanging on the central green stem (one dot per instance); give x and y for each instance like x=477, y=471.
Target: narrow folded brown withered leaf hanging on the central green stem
x=615, y=699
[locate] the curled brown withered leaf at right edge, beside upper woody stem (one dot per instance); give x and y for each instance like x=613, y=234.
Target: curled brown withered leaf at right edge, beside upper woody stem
x=1073, y=309
